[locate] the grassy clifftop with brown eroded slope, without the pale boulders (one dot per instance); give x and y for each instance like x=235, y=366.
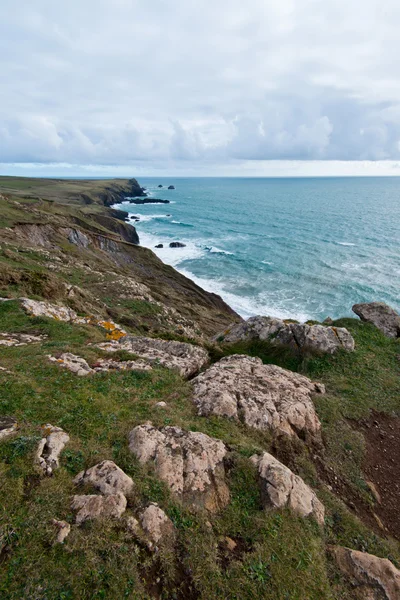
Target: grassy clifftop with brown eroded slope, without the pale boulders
x=57, y=250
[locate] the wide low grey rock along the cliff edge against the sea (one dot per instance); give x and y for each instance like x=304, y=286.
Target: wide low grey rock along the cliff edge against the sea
x=300, y=336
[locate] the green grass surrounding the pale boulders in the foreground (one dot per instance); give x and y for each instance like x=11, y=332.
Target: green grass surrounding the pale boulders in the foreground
x=279, y=556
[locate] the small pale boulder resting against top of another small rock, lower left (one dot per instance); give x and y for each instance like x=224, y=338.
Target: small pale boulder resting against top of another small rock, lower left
x=106, y=477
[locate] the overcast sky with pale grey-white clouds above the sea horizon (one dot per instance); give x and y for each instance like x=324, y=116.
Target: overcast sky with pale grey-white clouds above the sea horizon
x=207, y=87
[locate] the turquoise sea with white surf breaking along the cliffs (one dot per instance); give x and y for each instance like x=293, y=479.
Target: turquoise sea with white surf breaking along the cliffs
x=303, y=248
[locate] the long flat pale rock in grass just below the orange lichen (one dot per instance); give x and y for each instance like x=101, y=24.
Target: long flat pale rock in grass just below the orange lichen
x=187, y=359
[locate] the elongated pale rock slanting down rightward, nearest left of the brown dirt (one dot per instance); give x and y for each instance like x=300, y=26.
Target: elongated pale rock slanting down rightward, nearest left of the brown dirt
x=280, y=487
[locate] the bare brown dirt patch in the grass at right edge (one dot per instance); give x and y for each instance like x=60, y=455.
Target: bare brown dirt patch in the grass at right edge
x=382, y=467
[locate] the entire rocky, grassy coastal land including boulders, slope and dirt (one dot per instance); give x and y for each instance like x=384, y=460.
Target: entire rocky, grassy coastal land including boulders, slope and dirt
x=143, y=456
